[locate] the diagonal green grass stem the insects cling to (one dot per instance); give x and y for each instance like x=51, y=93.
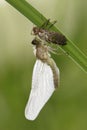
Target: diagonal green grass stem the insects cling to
x=37, y=18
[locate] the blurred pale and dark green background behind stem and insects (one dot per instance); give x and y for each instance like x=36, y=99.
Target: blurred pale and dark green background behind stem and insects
x=67, y=108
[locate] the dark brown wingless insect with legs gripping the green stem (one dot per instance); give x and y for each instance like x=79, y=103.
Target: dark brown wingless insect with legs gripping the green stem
x=49, y=36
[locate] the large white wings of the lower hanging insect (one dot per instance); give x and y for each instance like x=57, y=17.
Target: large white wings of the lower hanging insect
x=42, y=89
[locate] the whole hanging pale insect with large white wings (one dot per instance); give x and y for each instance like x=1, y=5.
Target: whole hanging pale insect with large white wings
x=45, y=80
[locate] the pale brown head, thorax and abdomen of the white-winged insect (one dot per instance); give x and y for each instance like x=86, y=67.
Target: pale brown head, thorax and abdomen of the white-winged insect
x=42, y=53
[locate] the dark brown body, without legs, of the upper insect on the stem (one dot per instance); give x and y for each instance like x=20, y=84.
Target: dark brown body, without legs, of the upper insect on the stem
x=49, y=36
